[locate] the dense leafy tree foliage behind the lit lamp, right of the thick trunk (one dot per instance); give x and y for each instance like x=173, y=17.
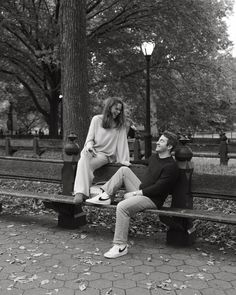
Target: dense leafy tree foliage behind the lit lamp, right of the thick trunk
x=185, y=65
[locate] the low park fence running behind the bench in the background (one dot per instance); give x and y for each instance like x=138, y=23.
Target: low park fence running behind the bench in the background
x=46, y=148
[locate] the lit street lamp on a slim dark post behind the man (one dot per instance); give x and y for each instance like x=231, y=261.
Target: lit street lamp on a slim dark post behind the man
x=147, y=49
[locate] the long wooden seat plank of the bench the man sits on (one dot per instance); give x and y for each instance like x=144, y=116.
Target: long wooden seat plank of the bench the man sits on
x=184, y=213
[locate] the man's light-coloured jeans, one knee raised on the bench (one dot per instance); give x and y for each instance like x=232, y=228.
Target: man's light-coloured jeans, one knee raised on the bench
x=128, y=207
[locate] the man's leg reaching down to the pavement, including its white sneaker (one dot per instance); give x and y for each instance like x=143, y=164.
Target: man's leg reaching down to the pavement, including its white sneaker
x=124, y=210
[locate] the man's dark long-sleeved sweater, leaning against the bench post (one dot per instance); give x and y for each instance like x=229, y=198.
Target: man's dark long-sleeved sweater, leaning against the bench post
x=159, y=179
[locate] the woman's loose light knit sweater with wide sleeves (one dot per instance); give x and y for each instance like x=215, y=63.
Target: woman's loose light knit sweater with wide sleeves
x=112, y=142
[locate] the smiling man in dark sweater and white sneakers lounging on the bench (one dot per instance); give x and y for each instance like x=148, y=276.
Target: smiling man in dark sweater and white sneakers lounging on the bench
x=158, y=182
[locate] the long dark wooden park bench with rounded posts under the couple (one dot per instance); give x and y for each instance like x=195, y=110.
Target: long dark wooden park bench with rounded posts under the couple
x=71, y=216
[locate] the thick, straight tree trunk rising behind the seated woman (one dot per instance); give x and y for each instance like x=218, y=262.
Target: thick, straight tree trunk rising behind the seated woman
x=74, y=69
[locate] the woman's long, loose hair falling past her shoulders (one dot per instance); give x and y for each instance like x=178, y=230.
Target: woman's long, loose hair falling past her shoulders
x=108, y=120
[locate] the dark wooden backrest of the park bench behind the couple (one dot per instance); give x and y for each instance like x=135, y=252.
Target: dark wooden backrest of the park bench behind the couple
x=203, y=185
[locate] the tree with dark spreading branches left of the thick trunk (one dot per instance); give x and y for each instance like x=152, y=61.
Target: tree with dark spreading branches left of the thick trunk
x=29, y=50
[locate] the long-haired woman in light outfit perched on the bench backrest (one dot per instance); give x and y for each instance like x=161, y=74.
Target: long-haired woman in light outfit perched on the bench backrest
x=106, y=142
